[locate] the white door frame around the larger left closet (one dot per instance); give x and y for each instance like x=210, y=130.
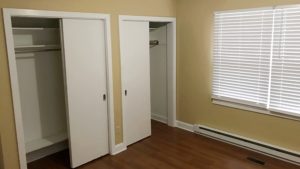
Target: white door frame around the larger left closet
x=8, y=13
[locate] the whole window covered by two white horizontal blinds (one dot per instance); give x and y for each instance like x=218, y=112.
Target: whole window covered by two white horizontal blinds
x=257, y=58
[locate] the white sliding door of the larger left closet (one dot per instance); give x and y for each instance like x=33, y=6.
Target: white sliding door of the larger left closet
x=84, y=48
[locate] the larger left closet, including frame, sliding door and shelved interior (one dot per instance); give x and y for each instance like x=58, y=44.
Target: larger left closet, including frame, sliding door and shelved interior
x=59, y=83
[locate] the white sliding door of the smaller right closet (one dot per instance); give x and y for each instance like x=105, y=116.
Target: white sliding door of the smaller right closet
x=135, y=62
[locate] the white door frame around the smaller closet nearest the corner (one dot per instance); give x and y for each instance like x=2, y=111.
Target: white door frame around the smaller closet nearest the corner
x=171, y=63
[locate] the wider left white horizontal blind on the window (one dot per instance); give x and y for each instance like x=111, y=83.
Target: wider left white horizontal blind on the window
x=242, y=47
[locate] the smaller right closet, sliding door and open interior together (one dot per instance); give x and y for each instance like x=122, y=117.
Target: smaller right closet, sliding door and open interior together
x=148, y=75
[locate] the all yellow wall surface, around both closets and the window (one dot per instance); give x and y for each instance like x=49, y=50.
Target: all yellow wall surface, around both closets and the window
x=194, y=26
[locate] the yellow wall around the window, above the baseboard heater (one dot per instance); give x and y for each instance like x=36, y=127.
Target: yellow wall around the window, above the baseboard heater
x=194, y=30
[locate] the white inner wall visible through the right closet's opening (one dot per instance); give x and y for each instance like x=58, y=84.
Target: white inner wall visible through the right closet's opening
x=158, y=72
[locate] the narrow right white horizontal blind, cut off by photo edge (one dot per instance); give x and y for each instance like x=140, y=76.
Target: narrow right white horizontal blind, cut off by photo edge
x=285, y=79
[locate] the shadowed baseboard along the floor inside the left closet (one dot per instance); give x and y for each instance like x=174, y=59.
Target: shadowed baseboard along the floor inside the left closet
x=38, y=154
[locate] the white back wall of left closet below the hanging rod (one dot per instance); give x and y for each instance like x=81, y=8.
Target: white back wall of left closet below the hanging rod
x=42, y=94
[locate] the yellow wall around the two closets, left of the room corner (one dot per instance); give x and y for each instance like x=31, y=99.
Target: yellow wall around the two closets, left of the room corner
x=114, y=7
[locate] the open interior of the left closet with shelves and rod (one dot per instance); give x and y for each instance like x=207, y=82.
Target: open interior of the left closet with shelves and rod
x=41, y=83
